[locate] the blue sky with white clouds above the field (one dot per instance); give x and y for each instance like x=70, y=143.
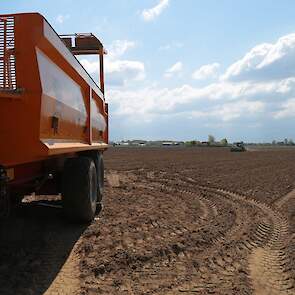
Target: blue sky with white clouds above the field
x=183, y=69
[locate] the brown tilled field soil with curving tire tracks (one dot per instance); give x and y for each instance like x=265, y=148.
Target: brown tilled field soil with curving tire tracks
x=174, y=221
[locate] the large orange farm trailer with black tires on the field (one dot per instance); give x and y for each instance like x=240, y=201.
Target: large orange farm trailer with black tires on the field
x=53, y=116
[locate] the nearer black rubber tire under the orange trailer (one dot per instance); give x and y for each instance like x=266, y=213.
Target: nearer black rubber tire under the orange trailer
x=79, y=189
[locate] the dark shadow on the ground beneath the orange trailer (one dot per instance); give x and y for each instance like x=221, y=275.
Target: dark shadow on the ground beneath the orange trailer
x=34, y=245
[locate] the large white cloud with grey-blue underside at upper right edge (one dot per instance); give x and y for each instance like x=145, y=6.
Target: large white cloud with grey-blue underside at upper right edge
x=265, y=62
